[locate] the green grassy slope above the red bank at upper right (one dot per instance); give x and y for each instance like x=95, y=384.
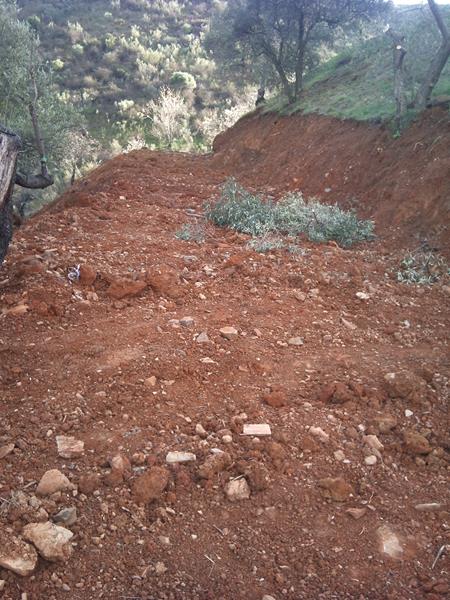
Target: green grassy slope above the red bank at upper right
x=358, y=82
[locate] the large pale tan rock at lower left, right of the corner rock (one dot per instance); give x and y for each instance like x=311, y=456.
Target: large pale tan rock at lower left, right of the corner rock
x=51, y=541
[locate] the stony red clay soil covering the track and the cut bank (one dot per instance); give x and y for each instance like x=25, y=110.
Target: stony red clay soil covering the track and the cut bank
x=100, y=308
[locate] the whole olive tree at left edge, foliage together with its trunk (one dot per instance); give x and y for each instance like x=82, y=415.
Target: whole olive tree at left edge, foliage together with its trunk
x=34, y=120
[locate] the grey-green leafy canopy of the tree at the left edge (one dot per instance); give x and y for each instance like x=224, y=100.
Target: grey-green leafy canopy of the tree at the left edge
x=28, y=96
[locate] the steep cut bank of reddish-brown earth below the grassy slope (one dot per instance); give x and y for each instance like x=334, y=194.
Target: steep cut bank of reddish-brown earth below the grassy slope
x=401, y=183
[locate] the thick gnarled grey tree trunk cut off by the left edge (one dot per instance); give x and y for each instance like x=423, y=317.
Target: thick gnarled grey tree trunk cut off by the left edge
x=9, y=150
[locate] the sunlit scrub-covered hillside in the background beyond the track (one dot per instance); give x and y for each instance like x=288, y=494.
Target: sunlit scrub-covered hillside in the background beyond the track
x=113, y=56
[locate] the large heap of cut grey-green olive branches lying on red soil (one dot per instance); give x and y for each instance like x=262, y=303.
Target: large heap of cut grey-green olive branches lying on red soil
x=256, y=215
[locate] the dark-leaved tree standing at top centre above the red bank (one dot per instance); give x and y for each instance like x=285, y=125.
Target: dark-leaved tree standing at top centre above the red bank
x=281, y=33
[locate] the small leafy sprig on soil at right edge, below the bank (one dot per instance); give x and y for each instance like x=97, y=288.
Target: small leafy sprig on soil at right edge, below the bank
x=422, y=268
